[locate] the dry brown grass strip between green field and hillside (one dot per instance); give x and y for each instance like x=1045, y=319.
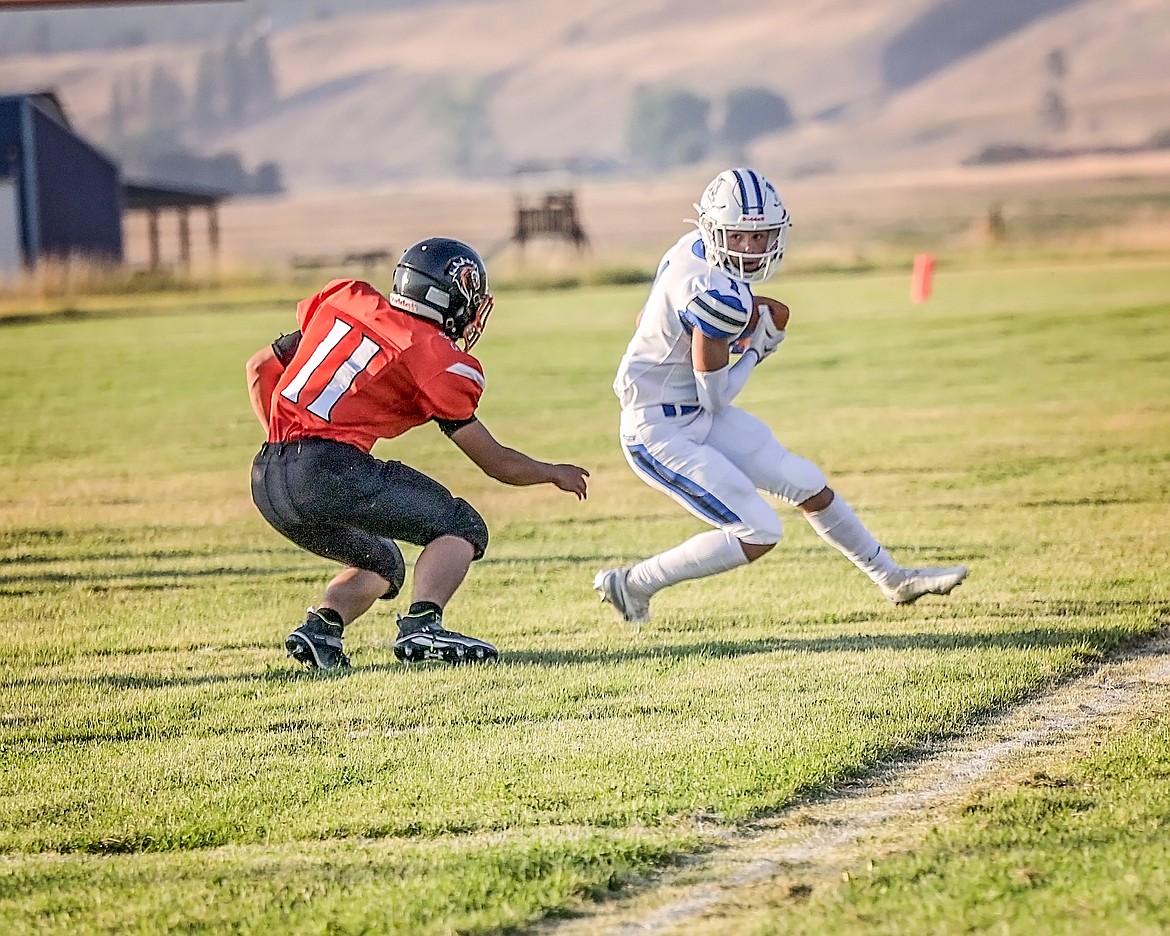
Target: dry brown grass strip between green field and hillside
x=1093, y=204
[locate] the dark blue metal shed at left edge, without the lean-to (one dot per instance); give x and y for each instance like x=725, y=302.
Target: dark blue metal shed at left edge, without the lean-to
x=60, y=197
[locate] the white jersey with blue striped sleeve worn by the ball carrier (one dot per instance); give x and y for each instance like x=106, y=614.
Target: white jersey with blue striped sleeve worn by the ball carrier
x=687, y=294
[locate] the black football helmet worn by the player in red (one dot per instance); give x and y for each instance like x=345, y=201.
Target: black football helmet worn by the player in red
x=445, y=281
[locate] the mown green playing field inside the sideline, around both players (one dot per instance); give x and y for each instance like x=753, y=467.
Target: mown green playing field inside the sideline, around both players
x=166, y=767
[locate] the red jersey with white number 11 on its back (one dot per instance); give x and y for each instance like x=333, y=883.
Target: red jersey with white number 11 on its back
x=367, y=371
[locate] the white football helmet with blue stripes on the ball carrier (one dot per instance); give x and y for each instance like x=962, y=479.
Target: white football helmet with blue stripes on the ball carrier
x=741, y=199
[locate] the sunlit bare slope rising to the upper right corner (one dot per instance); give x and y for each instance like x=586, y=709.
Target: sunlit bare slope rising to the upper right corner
x=1117, y=90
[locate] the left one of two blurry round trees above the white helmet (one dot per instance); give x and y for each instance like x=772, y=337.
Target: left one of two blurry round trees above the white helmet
x=669, y=127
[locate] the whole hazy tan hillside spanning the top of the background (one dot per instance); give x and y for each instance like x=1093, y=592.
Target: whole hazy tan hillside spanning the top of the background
x=369, y=99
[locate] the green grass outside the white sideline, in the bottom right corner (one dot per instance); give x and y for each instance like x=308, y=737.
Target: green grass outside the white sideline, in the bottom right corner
x=1084, y=850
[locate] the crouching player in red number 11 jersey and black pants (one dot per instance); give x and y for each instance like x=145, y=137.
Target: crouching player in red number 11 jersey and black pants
x=362, y=368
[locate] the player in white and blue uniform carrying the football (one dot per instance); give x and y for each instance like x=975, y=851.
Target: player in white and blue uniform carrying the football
x=680, y=432
